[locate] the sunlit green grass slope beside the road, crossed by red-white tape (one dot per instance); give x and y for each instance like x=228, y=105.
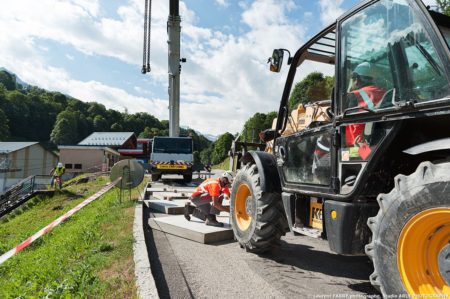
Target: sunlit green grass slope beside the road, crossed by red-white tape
x=88, y=255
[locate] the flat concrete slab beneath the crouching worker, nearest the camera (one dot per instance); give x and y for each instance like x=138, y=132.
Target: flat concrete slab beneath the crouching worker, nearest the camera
x=194, y=230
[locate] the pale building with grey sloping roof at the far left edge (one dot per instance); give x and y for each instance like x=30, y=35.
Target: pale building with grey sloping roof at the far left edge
x=19, y=160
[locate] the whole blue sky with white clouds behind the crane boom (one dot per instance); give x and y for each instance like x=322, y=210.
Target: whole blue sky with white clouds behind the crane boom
x=92, y=50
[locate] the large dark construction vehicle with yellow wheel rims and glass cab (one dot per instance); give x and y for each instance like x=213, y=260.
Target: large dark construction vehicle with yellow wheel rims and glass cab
x=383, y=192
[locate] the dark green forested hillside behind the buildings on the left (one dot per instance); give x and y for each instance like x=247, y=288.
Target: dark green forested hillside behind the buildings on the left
x=29, y=113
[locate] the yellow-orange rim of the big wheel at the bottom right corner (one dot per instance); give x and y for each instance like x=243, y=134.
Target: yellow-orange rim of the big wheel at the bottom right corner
x=423, y=241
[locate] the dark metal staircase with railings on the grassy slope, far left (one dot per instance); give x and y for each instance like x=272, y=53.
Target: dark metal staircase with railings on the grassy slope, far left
x=22, y=191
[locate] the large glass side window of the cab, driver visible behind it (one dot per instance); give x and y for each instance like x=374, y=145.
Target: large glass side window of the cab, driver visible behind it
x=388, y=57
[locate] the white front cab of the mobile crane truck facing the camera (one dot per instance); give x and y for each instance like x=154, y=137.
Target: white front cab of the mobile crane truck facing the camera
x=171, y=155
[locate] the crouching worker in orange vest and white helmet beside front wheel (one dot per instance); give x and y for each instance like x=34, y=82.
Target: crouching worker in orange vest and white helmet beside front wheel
x=210, y=191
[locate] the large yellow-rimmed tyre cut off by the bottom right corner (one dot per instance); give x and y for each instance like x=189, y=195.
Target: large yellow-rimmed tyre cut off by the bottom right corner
x=410, y=246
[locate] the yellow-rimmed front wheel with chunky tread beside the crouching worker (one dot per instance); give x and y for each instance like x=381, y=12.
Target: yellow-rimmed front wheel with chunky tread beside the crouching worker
x=257, y=217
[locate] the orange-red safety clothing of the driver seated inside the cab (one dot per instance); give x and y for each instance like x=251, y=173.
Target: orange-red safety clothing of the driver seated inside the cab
x=367, y=97
